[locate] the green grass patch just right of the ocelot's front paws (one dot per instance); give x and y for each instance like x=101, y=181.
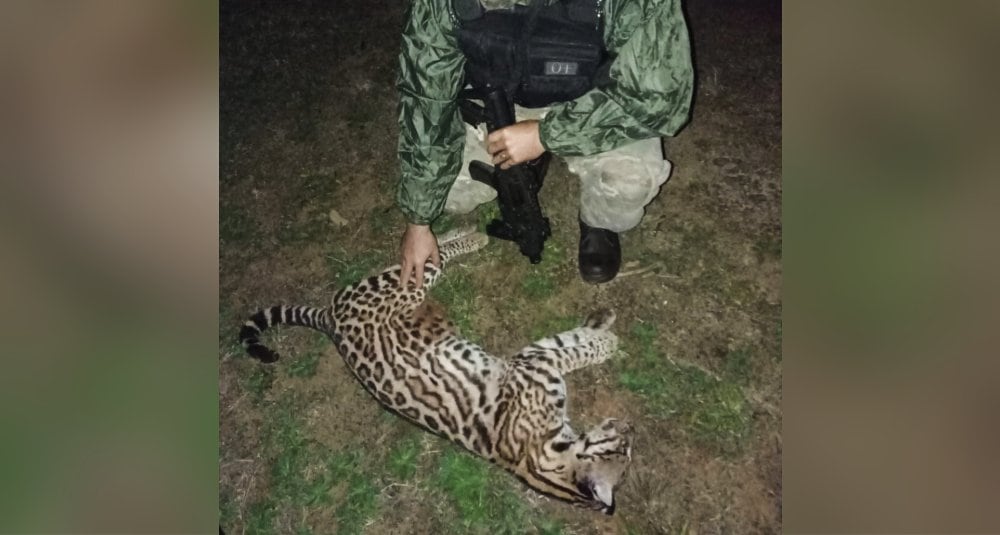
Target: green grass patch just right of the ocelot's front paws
x=713, y=412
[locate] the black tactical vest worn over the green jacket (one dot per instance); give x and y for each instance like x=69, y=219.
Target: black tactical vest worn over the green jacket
x=540, y=54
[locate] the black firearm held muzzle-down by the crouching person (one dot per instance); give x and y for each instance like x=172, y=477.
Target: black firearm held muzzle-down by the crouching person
x=521, y=220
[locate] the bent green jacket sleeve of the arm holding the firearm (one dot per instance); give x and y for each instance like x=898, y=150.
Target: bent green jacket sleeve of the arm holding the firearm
x=649, y=90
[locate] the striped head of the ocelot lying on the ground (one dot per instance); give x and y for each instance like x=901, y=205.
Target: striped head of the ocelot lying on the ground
x=594, y=465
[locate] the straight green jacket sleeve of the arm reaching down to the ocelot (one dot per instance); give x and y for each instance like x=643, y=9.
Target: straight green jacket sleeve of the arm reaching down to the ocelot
x=431, y=134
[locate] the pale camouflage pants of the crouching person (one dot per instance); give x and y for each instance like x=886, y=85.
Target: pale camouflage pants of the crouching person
x=615, y=186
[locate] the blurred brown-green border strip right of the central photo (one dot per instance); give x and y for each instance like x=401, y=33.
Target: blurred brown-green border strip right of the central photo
x=890, y=396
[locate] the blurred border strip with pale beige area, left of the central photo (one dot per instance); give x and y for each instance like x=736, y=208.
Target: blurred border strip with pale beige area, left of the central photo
x=109, y=240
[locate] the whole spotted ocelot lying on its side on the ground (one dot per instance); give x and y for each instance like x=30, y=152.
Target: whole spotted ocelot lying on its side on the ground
x=512, y=412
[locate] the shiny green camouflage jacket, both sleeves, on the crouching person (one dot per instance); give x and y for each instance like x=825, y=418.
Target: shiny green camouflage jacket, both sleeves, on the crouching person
x=648, y=95
